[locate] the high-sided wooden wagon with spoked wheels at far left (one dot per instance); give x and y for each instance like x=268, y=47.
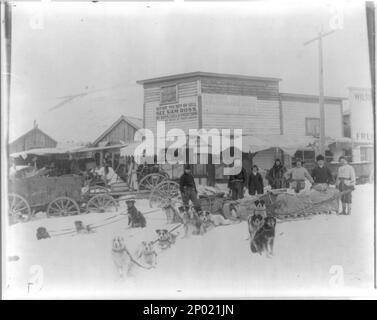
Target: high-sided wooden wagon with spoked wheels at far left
x=57, y=196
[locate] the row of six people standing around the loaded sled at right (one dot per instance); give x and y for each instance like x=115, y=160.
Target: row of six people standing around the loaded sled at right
x=279, y=177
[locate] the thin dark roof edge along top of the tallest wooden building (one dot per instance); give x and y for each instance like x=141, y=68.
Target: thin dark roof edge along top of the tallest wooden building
x=204, y=74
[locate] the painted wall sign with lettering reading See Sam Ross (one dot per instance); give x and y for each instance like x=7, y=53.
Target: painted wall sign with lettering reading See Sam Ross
x=177, y=112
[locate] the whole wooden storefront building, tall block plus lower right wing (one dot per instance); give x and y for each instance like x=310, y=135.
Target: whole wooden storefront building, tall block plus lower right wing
x=224, y=101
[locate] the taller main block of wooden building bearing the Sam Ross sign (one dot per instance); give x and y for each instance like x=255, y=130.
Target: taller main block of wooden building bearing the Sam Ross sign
x=211, y=100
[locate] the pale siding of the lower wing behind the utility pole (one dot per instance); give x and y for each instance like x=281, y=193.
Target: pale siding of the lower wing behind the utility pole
x=295, y=113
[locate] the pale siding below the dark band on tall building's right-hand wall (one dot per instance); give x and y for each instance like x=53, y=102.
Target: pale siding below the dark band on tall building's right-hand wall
x=247, y=113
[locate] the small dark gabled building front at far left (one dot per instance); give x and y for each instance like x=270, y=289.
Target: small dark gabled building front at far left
x=33, y=139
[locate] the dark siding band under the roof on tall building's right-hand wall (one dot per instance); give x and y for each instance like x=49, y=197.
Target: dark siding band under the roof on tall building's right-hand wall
x=262, y=89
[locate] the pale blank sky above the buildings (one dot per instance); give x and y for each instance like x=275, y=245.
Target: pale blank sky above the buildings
x=98, y=52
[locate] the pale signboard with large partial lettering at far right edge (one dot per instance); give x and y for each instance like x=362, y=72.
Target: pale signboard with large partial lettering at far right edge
x=361, y=111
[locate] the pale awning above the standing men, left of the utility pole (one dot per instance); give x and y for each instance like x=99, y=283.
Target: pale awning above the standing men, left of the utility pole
x=288, y=143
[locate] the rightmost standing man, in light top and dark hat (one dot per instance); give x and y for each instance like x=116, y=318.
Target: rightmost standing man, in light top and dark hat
x=345, y=182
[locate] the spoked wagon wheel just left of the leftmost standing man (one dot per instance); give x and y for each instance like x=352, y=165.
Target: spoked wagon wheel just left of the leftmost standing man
x=164, y=193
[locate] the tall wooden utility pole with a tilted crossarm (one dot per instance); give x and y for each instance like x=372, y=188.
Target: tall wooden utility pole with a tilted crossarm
x=322, y=140
